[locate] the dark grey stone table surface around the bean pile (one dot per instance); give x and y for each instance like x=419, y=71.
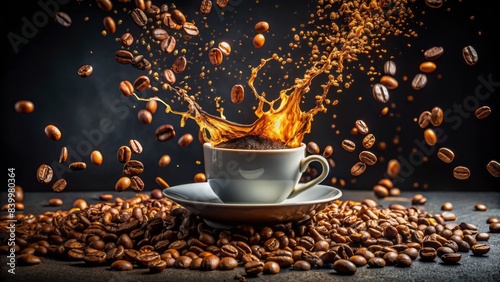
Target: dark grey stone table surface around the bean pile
x=471, y=268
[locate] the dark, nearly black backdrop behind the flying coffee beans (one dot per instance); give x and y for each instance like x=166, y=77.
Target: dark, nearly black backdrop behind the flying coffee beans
x=44, y=70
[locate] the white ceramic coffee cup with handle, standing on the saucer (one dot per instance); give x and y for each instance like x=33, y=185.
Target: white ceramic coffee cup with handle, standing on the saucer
x=259, y=176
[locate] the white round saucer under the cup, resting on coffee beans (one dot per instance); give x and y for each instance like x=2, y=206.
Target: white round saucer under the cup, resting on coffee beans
x=201, y=200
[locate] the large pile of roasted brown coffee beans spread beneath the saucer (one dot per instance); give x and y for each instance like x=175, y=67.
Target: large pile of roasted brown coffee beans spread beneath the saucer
x=148, y=231
